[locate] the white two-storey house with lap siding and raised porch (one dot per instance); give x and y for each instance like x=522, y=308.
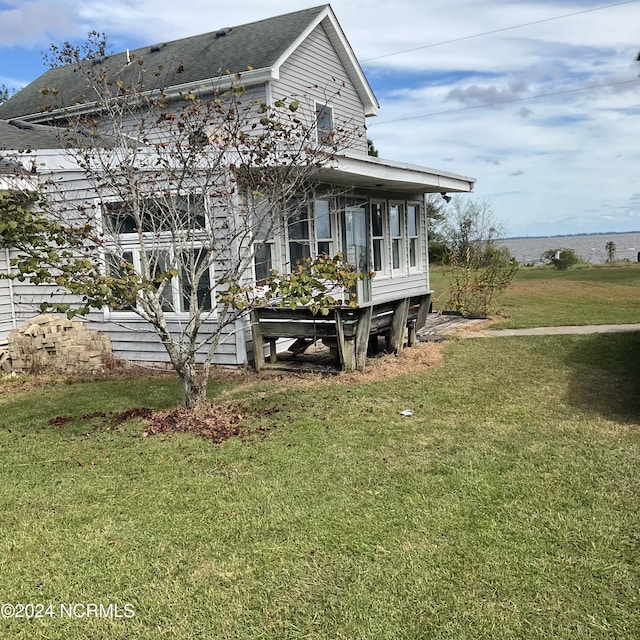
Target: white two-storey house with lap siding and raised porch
x=380, y=228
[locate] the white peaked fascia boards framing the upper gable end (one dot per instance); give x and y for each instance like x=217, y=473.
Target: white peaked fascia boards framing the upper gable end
x=340, y=43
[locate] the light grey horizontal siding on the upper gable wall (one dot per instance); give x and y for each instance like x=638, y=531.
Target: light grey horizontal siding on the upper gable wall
x=314, y=72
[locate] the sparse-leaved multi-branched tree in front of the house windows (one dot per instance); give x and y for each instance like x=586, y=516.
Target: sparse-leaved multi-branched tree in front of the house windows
x=183, y=191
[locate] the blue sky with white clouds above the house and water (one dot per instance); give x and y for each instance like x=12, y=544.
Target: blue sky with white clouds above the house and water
x=539, y=100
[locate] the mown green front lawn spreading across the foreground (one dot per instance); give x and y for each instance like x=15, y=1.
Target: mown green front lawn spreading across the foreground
x=507, y=506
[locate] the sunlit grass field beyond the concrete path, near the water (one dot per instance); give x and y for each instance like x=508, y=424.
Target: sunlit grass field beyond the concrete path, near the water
x=543, y=296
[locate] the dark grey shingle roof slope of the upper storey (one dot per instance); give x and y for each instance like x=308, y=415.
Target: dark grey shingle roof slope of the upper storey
x=258, y=45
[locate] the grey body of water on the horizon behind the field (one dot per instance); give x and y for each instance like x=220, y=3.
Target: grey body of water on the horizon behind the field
x=591, y=248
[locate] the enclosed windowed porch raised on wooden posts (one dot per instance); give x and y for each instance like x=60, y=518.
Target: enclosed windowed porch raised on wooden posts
x=380, y=228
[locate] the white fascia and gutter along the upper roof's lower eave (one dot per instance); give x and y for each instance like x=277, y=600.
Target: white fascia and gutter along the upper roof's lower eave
x=204, y=87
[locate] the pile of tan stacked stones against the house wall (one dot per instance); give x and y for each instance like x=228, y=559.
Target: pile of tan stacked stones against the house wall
x=49, y=342
